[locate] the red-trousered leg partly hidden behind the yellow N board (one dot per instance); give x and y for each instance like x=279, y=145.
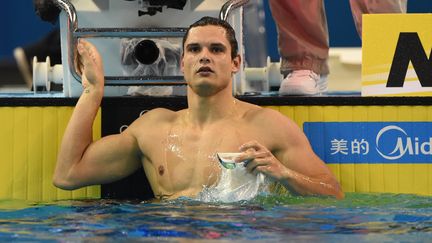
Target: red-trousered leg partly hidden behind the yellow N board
x=359, y=7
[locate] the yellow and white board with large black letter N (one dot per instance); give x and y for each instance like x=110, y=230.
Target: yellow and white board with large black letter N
x=396, y=55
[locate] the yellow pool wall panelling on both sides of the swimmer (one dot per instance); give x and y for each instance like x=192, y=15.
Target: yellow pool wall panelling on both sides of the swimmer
x=30, y=137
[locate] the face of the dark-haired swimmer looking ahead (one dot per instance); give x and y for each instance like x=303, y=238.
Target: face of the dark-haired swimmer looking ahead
x=206, y=62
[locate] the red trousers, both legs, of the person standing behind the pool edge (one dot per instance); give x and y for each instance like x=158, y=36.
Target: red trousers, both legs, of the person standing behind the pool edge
x=303, y=37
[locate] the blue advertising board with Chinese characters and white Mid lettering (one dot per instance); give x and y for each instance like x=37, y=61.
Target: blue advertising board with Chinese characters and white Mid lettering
x=371, y=142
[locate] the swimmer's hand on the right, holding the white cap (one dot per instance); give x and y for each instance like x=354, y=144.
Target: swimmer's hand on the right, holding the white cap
x=261, y=160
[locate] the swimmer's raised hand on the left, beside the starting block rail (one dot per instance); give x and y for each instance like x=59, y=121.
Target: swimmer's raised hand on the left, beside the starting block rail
x=89, y=65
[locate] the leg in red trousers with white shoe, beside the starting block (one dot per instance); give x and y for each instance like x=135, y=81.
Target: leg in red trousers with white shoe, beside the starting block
x=303, y=45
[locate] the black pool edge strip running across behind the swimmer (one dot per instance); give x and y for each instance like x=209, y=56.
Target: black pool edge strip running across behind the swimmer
x=332, y=99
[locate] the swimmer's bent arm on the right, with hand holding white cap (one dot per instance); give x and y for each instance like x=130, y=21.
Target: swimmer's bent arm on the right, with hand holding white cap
x=291, y=160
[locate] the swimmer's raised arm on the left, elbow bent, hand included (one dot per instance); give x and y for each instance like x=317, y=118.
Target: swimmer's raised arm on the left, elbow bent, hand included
x=81, y=161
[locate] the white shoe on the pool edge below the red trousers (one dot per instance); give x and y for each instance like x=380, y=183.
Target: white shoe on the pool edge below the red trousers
x=303, y=82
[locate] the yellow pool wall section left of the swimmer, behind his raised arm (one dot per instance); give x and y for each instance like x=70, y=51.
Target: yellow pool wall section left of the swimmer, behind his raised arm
x=29, y=140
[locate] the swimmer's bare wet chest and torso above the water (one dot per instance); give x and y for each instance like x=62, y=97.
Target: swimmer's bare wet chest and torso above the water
x=181, y=158
